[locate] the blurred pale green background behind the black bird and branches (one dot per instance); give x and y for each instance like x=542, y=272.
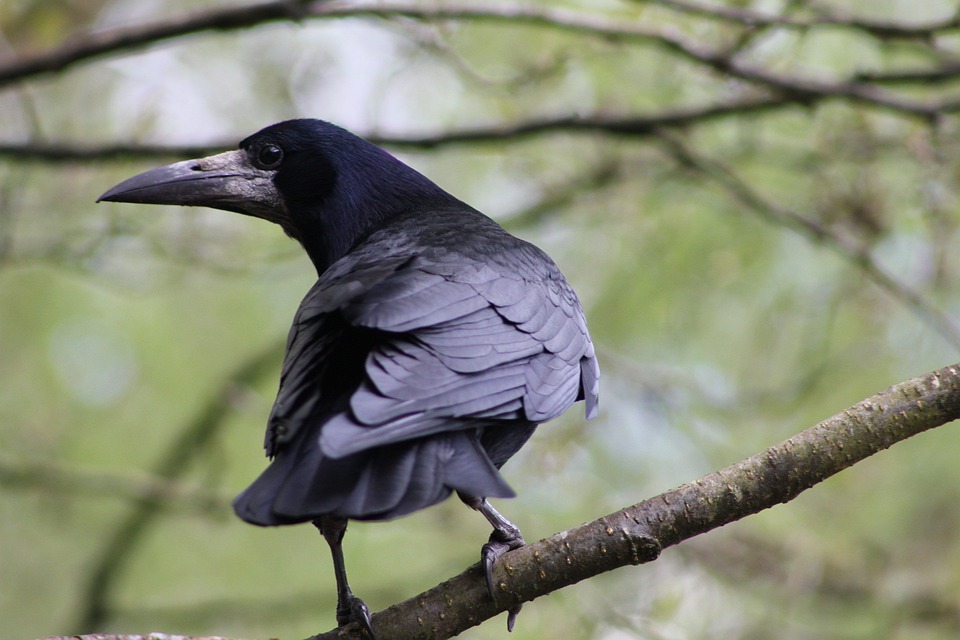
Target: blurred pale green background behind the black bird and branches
x=140, y=346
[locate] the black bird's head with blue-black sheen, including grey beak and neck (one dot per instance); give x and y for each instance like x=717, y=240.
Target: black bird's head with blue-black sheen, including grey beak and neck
x=325, y=186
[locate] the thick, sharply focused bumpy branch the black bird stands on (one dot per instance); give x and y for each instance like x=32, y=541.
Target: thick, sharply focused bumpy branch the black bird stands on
x=638, y=533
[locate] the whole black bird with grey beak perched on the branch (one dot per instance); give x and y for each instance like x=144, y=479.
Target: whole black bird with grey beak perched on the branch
x=429, y=349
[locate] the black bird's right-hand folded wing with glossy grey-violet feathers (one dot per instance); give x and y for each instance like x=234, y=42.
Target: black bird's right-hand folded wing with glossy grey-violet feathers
x=464, y=342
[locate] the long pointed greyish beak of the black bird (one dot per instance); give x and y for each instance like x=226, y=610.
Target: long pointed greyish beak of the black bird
x=224, y=181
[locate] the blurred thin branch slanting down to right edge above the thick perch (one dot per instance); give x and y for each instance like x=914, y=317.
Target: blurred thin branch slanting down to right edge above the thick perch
x=849, y=249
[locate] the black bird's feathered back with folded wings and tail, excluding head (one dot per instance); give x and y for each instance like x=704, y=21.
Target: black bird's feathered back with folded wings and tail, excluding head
x=416, y=366
